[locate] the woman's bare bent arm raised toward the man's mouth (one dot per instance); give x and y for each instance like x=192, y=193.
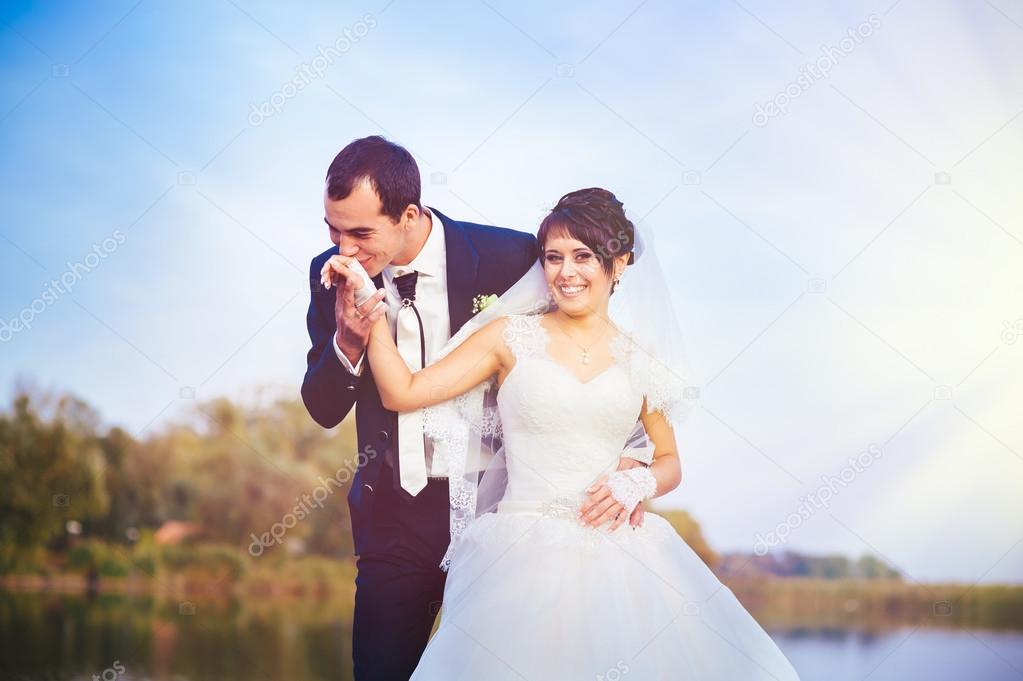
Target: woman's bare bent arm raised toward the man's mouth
x=478, y=358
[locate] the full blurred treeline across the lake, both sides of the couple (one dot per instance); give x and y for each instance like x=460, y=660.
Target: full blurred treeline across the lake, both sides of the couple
x=240, y=482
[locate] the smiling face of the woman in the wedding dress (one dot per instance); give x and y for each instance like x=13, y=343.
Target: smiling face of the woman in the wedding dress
x=575, y=276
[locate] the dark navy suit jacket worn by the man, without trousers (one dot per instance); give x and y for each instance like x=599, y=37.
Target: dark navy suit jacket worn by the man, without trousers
x=481, y=260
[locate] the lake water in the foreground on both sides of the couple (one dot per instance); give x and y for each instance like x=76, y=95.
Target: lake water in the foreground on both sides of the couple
x=119, y=639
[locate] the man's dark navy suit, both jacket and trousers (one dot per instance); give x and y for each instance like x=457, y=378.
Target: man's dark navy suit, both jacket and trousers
x=399, y=539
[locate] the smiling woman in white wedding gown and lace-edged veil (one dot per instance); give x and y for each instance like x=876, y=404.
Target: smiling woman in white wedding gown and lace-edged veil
x=537, y=589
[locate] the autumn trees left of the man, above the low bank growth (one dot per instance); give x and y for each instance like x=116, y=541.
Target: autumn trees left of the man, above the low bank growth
x=232, y=472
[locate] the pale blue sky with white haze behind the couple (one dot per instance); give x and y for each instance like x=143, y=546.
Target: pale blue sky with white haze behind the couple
x=834, y=190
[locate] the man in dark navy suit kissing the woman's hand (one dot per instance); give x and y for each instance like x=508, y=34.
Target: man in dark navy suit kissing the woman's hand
x=399, y=496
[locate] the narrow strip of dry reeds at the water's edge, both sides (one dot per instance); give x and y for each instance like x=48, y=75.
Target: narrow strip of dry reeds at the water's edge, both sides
x=785, y=604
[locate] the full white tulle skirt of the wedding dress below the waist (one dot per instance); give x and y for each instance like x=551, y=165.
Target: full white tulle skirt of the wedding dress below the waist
x=536, y=597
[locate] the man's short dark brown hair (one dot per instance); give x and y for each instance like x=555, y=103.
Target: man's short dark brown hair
x=390, y=168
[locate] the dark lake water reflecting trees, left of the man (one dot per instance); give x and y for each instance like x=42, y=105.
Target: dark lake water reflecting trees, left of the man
x=45, y=637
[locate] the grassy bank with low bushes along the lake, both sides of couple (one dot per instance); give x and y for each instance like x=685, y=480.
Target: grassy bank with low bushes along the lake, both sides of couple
x=204, y=572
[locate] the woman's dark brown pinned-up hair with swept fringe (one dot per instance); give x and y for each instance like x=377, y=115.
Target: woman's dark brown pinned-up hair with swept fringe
x=598, y=219
